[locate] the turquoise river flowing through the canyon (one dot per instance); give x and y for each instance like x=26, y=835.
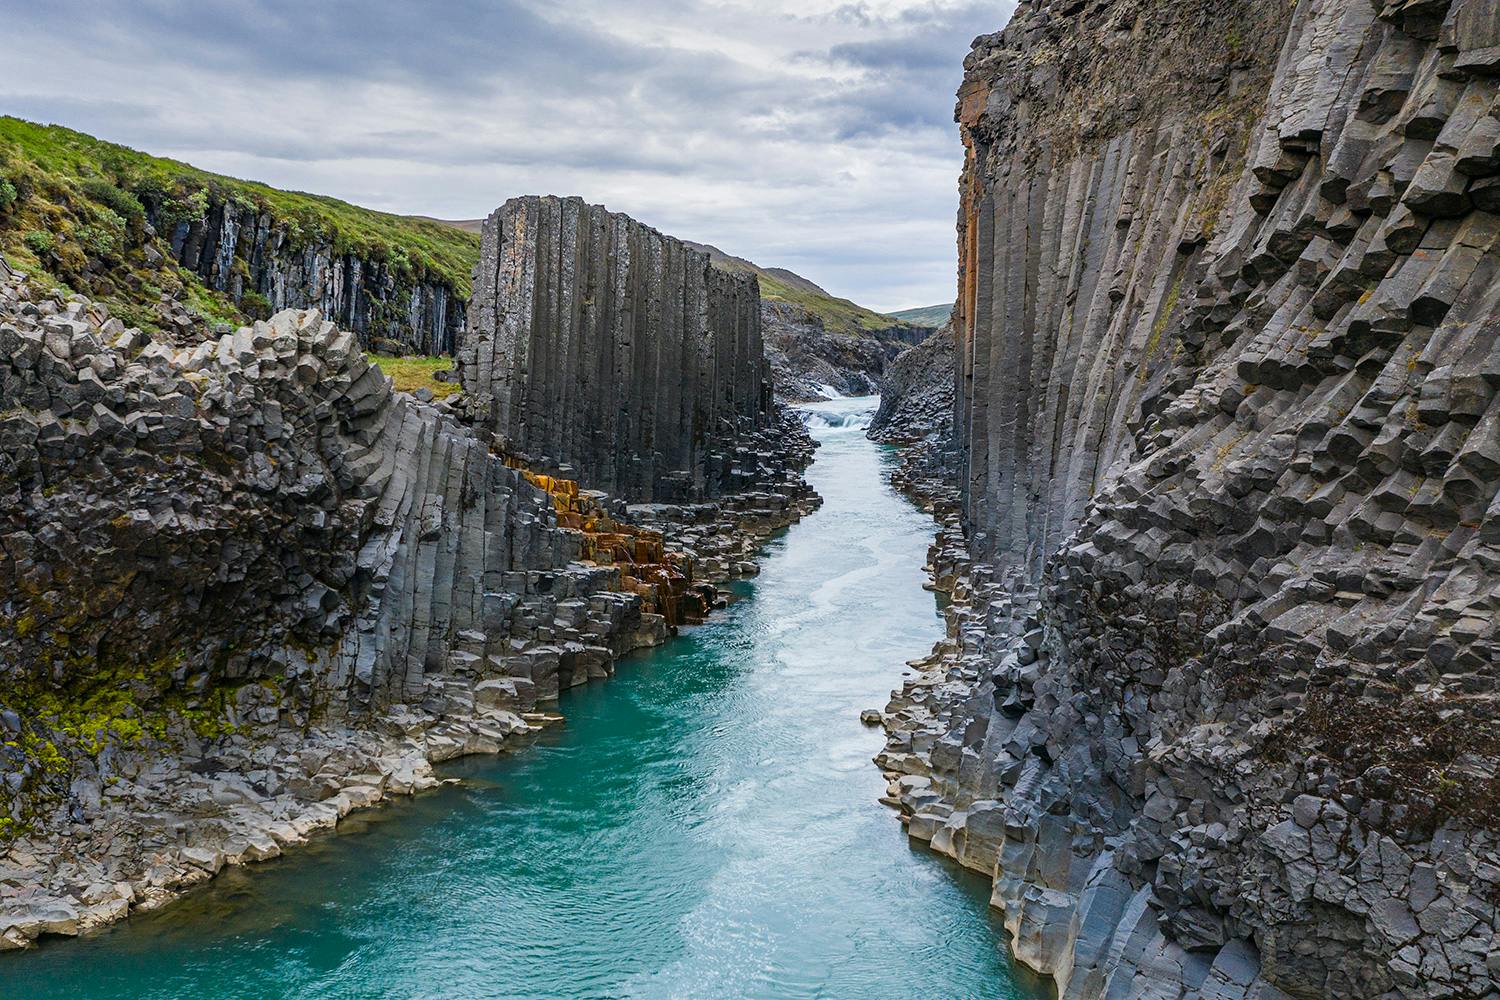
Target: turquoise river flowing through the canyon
x=704, y=825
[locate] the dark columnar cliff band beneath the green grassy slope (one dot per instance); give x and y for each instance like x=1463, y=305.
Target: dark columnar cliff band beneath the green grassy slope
x=238, y=248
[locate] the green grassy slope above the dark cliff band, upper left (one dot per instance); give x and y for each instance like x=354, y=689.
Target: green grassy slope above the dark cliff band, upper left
x=76, y=208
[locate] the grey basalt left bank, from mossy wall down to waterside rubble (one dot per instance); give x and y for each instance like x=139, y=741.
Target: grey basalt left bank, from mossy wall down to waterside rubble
x=247, y=588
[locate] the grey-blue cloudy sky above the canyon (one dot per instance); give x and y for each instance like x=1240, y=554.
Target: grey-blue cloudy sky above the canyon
x=806, y=134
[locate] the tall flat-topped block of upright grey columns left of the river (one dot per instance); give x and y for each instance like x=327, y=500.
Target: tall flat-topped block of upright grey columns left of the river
x=613, y=353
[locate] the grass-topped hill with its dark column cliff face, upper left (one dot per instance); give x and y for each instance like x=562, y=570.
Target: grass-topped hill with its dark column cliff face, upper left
x=179, y=251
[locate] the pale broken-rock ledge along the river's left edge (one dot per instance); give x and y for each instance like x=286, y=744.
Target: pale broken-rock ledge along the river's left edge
x=173, y=818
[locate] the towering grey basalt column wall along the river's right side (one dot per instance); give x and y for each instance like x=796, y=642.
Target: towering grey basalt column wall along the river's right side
x=1220, y=713
